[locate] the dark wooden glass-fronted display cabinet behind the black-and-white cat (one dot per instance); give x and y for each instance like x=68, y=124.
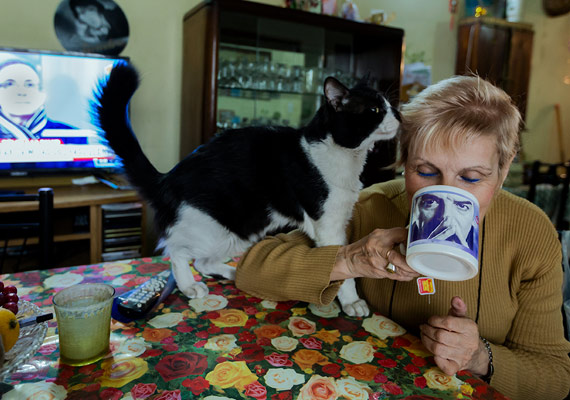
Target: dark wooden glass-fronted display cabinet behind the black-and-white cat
x=248, y=63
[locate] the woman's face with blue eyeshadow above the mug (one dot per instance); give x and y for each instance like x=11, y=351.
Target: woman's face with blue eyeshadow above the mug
x=472, y=166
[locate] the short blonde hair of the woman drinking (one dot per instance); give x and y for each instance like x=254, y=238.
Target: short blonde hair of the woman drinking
x=455, y=110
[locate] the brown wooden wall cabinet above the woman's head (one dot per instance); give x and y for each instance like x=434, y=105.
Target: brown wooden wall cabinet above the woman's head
x=499, y=51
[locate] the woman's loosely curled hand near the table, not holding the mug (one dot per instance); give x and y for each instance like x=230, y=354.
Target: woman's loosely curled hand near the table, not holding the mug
x=454, y=341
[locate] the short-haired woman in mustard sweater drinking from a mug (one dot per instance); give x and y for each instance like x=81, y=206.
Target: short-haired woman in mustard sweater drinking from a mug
x=504, y=325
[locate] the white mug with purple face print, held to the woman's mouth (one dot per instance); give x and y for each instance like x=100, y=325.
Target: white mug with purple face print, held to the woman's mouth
x=443, y=236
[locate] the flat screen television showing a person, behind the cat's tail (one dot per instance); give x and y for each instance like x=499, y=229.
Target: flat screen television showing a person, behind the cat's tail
x=46, y=123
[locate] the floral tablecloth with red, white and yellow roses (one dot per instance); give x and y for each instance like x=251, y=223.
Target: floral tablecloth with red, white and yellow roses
x=230, y=345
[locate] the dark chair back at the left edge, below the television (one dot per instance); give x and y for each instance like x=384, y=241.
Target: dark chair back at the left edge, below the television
x=40, y=225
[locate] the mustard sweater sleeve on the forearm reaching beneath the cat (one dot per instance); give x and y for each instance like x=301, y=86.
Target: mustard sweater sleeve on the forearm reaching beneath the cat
x=288, y=267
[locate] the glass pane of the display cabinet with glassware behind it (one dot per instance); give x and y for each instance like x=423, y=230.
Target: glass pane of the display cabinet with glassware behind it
x=271, y=72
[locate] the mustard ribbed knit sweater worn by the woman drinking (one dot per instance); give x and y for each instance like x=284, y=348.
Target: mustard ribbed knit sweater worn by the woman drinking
x=515, y=299
